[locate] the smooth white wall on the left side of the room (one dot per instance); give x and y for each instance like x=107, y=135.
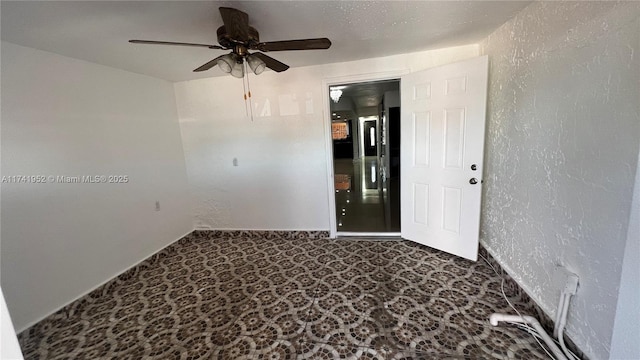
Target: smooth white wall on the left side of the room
x=62, y=116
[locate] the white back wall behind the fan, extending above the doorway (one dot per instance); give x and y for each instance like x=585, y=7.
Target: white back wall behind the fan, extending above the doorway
x=281, y=178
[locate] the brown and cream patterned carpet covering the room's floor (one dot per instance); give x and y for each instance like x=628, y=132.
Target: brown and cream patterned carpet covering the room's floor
x=287, y=296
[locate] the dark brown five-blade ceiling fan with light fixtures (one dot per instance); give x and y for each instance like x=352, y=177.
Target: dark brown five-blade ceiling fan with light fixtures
x=236, y=35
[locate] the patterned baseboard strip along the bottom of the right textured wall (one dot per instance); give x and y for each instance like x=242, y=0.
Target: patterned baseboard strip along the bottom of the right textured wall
x=526, y=303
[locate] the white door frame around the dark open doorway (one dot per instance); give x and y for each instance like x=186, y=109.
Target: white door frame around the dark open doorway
x=333, y=81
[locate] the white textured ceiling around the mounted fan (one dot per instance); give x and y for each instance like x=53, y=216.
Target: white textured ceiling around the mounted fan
x=98, y=31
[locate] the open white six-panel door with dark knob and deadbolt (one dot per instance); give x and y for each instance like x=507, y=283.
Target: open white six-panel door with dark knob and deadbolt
x=442, y=142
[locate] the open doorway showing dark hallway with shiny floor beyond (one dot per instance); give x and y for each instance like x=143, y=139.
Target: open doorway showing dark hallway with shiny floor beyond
x=365, y=131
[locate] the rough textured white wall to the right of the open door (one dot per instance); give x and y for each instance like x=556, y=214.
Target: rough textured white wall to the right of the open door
x=562, y=149
